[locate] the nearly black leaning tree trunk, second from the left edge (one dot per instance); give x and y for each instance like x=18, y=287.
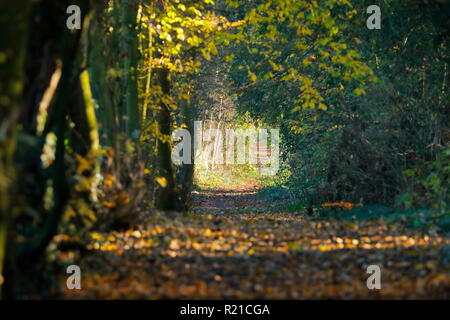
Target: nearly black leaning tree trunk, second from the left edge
x=31, y=251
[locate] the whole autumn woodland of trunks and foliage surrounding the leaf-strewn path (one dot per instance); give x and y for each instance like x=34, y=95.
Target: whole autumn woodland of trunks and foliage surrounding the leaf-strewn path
x=86, y=117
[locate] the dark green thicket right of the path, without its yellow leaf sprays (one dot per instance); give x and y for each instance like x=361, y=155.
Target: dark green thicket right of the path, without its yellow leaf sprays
x=384, y=146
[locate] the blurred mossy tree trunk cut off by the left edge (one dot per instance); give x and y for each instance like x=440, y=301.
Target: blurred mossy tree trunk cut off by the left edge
x=13, y=39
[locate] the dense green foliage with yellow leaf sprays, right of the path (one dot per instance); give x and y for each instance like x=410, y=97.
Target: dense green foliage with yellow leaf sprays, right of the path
x=357, y=145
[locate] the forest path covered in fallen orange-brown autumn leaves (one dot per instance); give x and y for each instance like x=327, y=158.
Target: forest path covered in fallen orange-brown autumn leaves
x=234, y=245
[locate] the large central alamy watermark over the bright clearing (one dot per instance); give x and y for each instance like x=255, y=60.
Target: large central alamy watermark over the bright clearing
x=213, y=146
